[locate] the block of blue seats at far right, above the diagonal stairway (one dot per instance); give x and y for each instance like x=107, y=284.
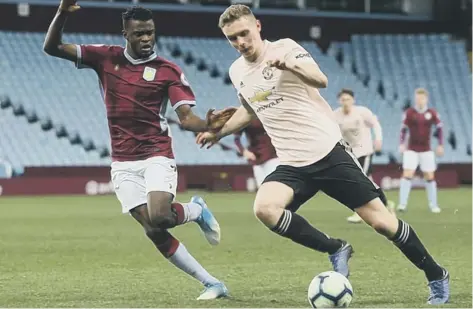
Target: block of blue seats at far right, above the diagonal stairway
x=395, y=65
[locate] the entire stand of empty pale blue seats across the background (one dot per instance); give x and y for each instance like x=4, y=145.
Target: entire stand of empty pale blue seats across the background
x=59, y=118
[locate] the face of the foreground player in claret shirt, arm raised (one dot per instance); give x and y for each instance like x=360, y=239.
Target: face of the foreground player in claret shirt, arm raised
x=141, y=37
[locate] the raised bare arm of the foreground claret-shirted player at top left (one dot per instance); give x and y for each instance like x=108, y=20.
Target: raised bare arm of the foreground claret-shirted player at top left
x=53, y=44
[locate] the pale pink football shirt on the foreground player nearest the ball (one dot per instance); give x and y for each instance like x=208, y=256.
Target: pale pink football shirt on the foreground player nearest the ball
x=299, y=121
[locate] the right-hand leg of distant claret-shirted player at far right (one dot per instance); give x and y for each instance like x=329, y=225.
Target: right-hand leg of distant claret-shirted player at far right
x=428, y=167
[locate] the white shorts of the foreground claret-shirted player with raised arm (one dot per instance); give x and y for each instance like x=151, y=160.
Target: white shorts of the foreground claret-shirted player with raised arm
x=133, y=180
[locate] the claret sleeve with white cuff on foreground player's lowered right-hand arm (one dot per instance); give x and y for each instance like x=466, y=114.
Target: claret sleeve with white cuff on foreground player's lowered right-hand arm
x=179, y=89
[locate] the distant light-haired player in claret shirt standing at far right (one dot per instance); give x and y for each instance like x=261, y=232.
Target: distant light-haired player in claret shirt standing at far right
x=418, y=121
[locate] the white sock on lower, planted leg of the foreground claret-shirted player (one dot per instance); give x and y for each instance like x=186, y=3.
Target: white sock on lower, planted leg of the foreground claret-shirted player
x=183, y=260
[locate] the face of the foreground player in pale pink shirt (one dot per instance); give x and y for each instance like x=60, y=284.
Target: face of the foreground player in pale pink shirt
x=244, y=35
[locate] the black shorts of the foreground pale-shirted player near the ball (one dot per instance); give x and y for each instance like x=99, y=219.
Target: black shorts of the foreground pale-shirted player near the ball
x=338, y=175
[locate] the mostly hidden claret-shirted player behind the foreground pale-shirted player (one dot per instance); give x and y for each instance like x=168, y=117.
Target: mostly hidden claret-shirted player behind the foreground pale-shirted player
x=260, y=152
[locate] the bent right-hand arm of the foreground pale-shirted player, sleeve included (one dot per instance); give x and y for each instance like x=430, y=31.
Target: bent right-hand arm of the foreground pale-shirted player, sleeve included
x=300, y=62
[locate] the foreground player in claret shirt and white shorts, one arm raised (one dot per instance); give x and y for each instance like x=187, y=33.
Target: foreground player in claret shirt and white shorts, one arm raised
x=136, y=84
